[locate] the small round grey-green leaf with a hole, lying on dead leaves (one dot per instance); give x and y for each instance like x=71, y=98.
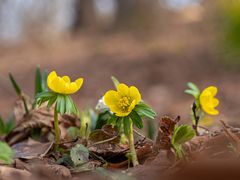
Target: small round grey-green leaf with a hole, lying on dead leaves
x=79, y=154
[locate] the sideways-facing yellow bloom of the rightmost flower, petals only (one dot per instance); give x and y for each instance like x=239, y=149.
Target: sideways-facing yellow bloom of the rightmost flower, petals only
x=208, y=102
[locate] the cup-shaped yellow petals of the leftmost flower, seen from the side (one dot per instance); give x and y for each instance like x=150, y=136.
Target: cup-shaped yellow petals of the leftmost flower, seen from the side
x=63, y=85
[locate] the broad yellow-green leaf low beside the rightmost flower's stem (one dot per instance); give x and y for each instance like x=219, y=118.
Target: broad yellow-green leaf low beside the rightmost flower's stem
x=182, y=134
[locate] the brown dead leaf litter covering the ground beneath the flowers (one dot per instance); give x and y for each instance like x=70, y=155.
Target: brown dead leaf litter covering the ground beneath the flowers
x=36, y=158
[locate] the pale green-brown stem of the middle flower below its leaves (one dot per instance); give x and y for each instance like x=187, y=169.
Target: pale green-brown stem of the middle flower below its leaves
x=131, y=145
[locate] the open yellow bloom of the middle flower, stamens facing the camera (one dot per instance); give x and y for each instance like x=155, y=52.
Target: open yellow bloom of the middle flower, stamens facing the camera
x=122, y=101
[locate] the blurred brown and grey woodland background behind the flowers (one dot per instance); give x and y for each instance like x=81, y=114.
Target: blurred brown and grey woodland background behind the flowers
x=156, y=45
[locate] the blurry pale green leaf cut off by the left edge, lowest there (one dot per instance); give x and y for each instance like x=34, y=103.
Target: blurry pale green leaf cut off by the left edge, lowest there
x=6, y=153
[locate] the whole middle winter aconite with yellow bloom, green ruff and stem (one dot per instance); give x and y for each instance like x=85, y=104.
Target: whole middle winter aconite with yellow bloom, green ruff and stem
x=127, y=110
